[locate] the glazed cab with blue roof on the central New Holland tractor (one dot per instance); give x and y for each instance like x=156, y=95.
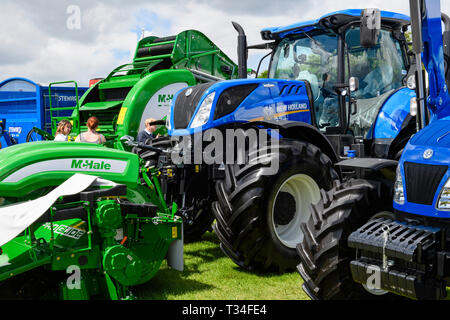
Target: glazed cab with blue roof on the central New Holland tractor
x=328, y=53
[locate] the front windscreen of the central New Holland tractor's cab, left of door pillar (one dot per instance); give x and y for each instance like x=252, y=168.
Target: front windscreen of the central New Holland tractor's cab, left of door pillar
x=312, y=57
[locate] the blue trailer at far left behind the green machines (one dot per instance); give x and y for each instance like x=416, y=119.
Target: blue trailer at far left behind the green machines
x=24, y=104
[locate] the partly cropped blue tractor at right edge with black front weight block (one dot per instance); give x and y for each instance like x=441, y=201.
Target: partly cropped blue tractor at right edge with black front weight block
x=360, y=246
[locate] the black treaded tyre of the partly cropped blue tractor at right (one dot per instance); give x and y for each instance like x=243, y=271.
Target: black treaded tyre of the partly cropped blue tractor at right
x=324, y=253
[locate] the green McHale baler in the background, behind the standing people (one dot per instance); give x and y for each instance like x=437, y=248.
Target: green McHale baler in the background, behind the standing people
x=145, y=87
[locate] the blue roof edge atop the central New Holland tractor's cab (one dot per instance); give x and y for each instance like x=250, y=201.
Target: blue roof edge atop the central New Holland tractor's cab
x=312, y=24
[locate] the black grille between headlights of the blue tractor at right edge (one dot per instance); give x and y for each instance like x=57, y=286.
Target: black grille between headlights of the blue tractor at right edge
x=422, y=181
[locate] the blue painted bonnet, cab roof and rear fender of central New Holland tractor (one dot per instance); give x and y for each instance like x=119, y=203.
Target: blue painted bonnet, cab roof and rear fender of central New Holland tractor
x=264, y=101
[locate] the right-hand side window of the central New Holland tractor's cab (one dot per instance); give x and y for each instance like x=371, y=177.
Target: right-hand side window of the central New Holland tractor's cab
x=380, y=71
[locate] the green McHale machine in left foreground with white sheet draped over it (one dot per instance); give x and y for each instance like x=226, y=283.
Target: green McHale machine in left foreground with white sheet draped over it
x=81, y=221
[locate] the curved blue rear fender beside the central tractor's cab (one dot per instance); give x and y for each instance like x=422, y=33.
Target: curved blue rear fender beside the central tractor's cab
x=393, y=114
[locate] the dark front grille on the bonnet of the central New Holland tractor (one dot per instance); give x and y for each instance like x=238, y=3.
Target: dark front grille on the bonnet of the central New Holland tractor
x=185, y=106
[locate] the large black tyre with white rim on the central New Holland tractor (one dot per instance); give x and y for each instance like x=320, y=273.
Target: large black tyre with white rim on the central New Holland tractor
x=258, y=213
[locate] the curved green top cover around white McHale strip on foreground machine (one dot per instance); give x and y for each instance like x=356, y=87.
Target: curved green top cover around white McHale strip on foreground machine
x=19, y=157
